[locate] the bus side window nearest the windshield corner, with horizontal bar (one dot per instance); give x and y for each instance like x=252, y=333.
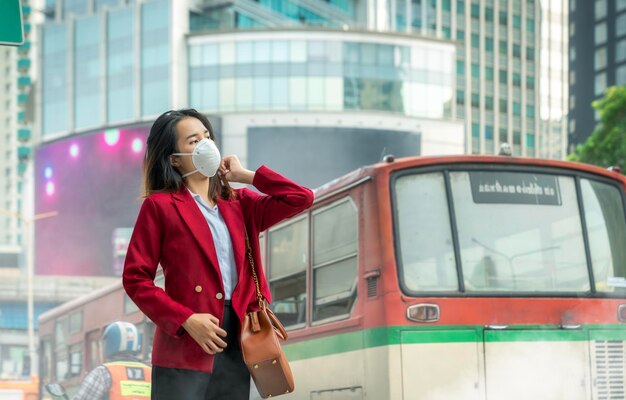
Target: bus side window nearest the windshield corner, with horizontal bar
x=334, y=260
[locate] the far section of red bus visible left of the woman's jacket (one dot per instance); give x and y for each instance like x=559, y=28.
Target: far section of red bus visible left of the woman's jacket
x=69, y=335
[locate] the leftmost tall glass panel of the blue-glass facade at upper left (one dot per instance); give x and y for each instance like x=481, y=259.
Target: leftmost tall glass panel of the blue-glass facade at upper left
x=54, y=77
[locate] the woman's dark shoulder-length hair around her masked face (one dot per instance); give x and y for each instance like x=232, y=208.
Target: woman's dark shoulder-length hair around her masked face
x=159, y=175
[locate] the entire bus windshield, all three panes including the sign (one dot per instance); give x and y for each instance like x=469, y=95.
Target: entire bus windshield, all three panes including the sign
x=516, y=232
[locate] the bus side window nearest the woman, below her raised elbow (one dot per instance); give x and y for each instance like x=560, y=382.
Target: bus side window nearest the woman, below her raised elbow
x=288, y=252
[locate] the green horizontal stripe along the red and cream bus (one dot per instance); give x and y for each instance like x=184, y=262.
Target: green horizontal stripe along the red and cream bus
x=393, y=335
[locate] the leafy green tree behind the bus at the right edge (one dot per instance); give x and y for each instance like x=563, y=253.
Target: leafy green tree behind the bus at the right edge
x=607, y=144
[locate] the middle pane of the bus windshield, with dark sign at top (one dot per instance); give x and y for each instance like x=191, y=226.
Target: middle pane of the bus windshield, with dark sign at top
x=519, y=232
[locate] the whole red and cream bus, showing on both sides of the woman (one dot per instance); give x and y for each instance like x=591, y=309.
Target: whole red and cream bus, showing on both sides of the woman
x=456, y=277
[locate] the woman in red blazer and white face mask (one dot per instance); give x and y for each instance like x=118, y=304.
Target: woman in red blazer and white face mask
x=194, y=225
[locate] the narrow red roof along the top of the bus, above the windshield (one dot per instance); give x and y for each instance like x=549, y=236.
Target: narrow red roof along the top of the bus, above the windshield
x=363, y=173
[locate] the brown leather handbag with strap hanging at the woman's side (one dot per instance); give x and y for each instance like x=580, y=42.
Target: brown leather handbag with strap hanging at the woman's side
x=260, y=346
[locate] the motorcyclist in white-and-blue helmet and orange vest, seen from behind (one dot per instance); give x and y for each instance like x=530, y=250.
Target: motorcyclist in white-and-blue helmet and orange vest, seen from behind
x=122, y=375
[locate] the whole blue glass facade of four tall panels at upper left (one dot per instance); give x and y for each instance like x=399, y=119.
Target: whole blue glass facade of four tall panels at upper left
x=118, y=73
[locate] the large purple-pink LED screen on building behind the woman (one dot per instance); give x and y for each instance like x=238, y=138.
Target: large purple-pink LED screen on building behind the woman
x=93, y=181
